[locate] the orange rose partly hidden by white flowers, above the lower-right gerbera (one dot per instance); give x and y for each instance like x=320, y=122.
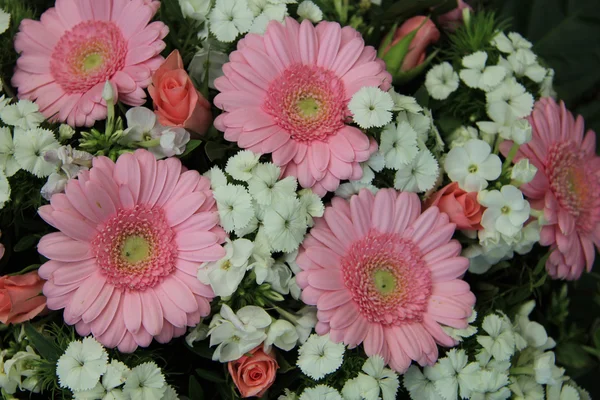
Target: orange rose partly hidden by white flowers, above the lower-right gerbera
x=462, y=207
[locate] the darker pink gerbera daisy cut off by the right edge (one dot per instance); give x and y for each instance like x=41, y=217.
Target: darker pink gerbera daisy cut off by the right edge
x=566, y=187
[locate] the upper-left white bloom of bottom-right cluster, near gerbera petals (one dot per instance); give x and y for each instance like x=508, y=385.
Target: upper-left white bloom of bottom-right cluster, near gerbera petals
x=501, y=340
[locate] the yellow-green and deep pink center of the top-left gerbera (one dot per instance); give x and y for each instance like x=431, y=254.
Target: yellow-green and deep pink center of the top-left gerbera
x=89, y=54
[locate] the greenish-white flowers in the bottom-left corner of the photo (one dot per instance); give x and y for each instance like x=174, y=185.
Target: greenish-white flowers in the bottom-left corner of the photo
x=19, y=371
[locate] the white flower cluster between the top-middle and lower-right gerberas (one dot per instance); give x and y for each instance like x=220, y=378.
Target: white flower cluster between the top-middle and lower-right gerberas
x=403, y=144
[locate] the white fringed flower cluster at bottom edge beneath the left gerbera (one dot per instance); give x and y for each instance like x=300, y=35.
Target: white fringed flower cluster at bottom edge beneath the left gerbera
x=84, y=368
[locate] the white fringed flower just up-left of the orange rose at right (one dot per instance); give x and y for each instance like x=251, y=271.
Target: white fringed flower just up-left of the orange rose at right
x=420, y=175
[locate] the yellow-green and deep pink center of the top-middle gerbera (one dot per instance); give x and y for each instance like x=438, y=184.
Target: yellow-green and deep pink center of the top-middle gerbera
x=308, y=102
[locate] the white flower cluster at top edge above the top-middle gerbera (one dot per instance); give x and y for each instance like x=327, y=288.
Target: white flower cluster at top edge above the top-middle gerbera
x=230, y=18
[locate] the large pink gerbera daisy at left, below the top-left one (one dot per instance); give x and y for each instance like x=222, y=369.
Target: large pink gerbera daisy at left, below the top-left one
x=132, y=235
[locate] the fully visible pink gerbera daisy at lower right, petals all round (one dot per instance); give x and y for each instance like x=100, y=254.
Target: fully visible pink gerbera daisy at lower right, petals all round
x=385, y=275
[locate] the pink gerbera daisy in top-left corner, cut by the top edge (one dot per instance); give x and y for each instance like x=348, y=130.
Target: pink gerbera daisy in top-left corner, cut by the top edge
x=67, y=56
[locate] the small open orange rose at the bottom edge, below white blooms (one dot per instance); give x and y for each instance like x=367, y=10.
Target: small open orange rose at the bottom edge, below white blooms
x=253, y=374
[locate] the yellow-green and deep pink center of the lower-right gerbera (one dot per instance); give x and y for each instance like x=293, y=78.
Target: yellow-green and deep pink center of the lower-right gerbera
x=387, y=278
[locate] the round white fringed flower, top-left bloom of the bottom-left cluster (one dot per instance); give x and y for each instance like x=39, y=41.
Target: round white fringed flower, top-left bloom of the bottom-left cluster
x=82, y=365
